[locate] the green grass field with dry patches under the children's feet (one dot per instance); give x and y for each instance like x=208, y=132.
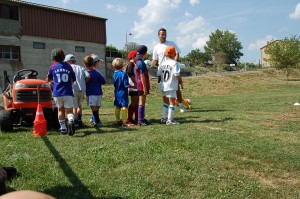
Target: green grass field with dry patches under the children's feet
x=240, y=140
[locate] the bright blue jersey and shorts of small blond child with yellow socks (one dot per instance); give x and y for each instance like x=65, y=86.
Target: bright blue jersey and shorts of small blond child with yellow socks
x=121, y=84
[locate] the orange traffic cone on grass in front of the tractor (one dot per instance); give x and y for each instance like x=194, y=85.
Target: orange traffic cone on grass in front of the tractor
x=40, y=123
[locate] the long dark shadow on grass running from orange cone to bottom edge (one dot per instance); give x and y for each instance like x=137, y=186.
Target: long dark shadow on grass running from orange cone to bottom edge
x=78, y=190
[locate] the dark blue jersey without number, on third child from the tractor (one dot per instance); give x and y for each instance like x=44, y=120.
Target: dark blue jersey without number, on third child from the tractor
x=94, y=85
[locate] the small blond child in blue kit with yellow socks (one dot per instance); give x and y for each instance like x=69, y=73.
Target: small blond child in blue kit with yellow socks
x=121, y=84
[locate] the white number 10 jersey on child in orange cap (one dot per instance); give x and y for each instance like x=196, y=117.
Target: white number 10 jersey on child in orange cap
x=169, y=70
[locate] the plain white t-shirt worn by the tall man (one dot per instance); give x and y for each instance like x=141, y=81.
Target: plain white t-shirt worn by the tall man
x=160, y=49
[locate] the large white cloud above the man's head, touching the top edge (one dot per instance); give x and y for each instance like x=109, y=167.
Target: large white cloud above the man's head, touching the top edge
x=154, y=13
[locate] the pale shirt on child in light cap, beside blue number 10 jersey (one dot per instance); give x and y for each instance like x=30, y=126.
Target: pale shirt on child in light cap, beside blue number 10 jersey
x=81, y=73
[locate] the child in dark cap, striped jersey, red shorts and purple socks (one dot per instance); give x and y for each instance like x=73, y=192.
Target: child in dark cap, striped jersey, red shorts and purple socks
x=143, y=83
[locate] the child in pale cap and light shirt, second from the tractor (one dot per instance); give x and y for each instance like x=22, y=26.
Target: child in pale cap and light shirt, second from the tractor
x=79, y=87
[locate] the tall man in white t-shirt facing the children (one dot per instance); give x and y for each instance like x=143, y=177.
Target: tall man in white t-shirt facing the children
x=159, y=56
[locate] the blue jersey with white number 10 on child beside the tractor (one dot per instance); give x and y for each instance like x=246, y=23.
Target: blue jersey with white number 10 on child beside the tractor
x=63, y=77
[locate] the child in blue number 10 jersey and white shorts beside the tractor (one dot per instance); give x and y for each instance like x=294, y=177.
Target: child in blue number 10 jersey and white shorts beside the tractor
x=62, y=76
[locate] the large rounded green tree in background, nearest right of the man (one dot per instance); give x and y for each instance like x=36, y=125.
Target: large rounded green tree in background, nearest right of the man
x=224, y=42
